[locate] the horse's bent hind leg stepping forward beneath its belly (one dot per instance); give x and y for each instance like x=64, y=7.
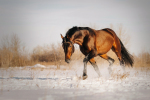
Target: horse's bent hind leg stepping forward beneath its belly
x=110, y=60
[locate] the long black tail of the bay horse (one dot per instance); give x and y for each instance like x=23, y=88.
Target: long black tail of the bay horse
x=127, y=58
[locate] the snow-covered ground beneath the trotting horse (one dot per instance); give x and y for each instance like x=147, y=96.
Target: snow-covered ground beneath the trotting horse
x=40, y=82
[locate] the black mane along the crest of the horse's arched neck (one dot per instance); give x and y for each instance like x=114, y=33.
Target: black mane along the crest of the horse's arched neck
x=72, y=30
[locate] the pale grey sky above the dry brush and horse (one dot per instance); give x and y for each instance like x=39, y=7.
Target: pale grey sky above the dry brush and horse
x=40, y=22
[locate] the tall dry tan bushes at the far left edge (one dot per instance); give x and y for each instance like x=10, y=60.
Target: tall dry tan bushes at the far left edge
x=12, y=53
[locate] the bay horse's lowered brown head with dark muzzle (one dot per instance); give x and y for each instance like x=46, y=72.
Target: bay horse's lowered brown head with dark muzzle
x=68, y=48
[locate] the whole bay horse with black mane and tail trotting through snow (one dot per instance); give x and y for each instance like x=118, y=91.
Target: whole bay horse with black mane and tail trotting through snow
x=94, y=43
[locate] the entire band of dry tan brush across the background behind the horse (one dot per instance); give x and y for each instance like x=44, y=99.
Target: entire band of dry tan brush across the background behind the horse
x=12, y=53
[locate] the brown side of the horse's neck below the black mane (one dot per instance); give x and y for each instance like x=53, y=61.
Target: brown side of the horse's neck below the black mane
x=79, y=36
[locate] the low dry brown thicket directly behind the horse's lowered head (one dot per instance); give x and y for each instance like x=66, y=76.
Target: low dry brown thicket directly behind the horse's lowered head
x=53, y=54
